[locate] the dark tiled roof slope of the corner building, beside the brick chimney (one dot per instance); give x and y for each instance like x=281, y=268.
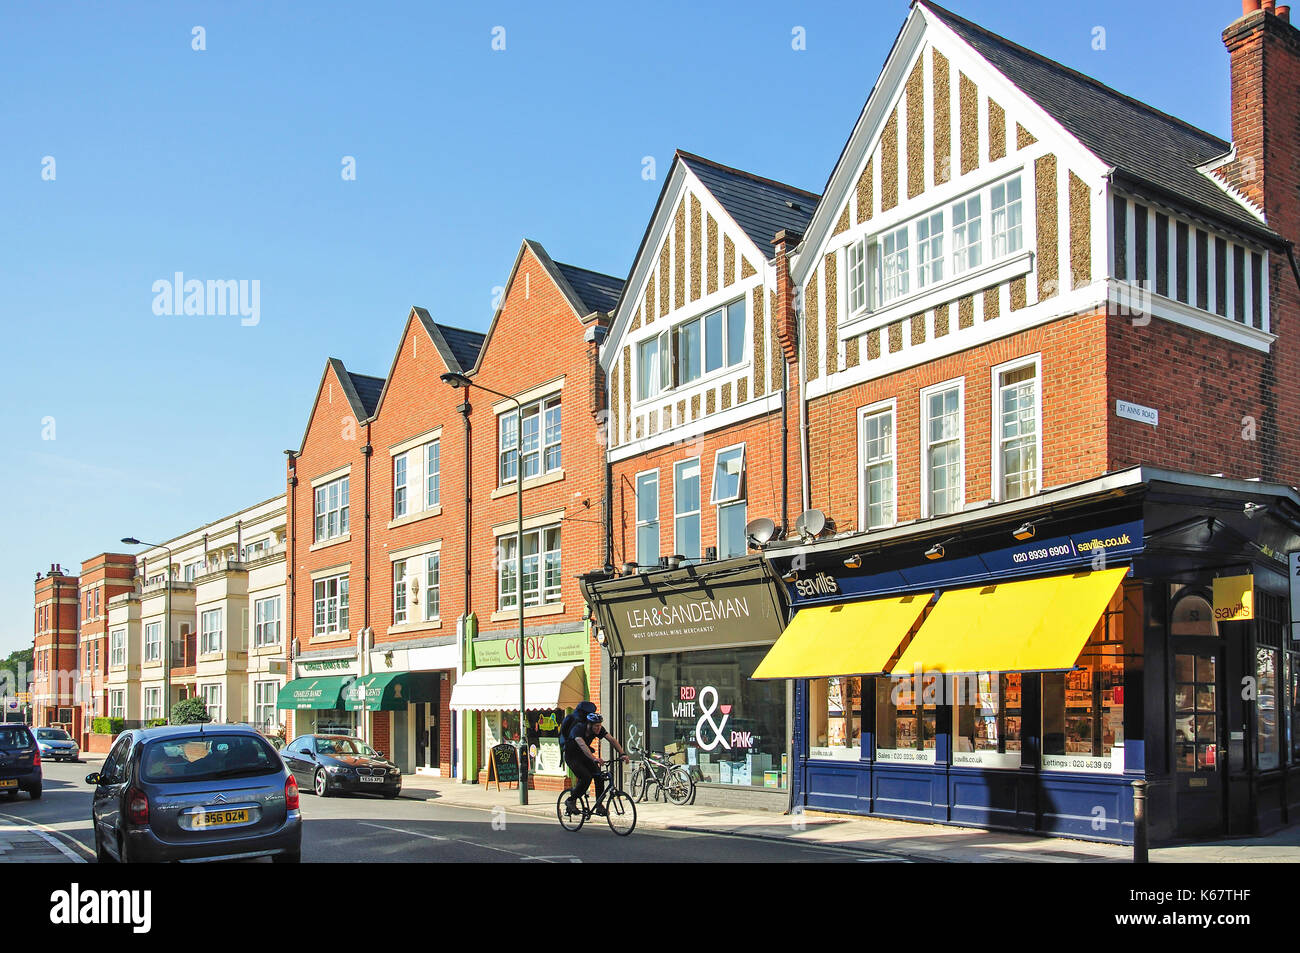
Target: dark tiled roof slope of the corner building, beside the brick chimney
x=1146, y=146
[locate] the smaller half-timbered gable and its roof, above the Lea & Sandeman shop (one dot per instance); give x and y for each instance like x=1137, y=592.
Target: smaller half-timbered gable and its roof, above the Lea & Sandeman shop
x=694, y=344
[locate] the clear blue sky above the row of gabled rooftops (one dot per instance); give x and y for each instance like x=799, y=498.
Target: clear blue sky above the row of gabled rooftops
x=227, y=164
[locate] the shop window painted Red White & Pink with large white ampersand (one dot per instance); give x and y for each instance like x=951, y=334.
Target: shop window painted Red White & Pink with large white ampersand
x=707, y=712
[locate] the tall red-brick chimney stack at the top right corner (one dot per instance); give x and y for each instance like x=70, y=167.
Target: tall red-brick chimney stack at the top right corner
x=1264, y=51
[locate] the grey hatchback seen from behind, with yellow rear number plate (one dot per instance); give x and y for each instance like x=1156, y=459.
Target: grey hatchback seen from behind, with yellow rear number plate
x=196, y=794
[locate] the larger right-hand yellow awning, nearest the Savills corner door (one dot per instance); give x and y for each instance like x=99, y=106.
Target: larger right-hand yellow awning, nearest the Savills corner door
x=1033, y=626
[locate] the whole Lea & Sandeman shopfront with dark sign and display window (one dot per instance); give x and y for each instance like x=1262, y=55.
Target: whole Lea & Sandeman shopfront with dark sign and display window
x=684, y=646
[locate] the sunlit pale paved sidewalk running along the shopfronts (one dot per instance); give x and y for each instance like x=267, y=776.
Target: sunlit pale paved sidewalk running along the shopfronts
x=913, y=841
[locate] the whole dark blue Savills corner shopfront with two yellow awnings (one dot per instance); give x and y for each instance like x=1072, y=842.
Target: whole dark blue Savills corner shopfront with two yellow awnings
x=1022, y=665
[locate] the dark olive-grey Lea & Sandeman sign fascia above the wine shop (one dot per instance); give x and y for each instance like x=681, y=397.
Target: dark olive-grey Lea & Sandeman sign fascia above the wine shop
x=720, y=605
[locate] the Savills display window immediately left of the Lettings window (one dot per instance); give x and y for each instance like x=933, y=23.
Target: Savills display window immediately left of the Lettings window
x=987, y=721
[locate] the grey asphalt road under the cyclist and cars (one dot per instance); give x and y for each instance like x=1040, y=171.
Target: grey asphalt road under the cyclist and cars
x=371, y=830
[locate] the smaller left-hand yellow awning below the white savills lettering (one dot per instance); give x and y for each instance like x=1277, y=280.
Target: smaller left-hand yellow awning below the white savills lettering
x=851, y=639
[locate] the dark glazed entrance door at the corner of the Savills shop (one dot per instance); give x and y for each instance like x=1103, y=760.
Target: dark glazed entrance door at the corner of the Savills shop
x=1201, y=768
